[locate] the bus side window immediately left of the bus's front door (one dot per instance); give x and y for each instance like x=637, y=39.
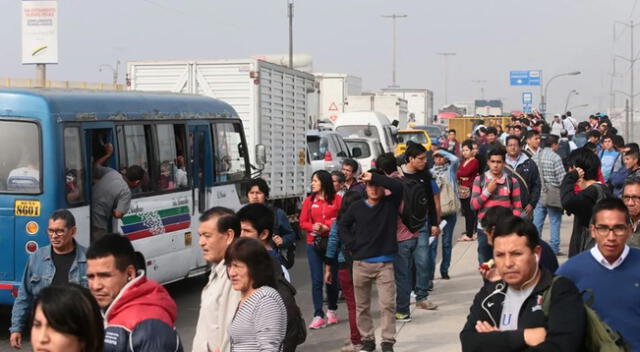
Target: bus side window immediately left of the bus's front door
x=172, y=162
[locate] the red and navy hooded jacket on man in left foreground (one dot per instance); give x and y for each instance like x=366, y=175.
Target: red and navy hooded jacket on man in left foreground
x=142, y=318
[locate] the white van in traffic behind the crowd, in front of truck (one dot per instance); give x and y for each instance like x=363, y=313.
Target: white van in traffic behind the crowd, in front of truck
x=367, y=124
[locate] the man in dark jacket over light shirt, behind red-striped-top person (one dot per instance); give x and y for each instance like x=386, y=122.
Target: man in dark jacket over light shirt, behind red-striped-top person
x=527, y=171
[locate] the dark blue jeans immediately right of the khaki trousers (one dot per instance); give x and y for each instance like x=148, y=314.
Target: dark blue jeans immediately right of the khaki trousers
x=402, y=264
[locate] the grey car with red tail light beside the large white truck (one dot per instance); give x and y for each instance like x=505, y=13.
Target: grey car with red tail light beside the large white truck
x=326, y=150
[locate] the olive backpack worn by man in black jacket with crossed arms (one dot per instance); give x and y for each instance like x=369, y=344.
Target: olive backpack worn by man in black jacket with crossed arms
x=599, y=337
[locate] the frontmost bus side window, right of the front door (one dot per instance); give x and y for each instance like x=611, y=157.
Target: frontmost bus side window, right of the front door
x=229, y=163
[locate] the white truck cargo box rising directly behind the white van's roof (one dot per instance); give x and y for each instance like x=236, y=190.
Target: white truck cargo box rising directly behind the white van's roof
x=393, y=107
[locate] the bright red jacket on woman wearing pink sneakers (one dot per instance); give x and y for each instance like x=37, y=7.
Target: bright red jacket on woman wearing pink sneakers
x=318, y=211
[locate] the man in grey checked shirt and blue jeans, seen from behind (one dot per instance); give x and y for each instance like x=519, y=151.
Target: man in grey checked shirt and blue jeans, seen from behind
x=551, y=174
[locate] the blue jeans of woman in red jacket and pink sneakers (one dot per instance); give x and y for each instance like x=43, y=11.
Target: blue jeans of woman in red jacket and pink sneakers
x=316, y=266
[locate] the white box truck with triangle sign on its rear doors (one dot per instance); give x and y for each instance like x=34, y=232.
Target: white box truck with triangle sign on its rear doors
x=333, y=90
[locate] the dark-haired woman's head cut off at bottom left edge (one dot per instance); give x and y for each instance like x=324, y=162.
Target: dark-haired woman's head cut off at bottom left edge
x=67, y=318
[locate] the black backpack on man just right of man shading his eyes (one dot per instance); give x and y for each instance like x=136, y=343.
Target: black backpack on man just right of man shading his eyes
x=414, y=197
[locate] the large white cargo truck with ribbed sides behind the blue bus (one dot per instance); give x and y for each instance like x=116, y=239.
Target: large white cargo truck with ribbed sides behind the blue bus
x=270, y=99
